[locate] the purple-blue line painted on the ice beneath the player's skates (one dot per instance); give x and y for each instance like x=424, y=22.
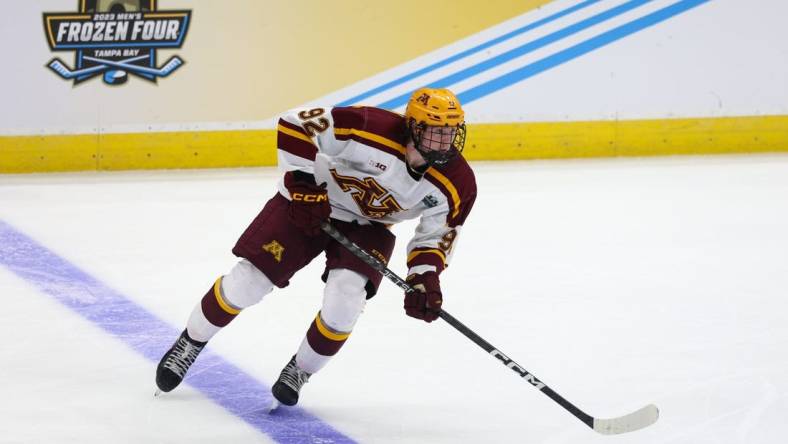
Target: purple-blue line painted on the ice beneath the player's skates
x=214, y=377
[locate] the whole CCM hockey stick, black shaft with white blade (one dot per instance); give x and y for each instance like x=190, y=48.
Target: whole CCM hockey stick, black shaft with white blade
x=636, y=420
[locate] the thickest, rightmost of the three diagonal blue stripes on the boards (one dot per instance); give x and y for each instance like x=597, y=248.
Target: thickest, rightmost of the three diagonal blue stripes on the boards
x=577, y=50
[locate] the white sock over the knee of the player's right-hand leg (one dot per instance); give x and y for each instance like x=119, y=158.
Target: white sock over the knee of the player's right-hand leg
x=344, y=299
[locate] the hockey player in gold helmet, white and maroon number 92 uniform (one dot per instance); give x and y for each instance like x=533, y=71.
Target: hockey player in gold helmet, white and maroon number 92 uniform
x=362, y=169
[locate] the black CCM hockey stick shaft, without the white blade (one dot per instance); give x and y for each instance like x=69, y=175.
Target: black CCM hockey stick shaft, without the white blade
x=459, y=326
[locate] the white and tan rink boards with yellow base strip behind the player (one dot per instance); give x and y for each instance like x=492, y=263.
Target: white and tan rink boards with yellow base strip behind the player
x=538, y=79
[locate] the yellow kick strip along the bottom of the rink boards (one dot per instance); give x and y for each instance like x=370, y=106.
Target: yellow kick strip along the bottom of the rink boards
x=506, y=141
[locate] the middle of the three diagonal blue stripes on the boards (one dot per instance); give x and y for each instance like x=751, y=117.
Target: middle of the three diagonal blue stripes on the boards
x=521, y=50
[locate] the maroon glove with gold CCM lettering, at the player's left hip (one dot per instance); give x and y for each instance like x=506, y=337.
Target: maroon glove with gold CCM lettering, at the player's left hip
x=309, y=205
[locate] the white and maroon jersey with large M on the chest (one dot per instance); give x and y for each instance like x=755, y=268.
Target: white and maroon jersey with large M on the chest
x=359, y=152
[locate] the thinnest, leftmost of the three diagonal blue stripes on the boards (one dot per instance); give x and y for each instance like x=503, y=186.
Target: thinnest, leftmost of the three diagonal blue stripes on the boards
x=466, y=53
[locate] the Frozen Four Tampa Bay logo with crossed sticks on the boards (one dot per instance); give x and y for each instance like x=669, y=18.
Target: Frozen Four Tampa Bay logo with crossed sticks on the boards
x=115, y=38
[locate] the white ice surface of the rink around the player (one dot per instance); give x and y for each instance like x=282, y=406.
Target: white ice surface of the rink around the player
x=617, y=282
